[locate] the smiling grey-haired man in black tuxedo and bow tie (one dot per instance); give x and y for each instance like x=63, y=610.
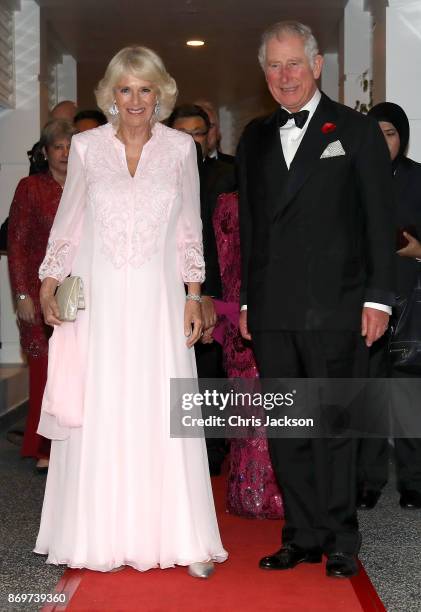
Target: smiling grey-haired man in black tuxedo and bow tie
x=317, y=277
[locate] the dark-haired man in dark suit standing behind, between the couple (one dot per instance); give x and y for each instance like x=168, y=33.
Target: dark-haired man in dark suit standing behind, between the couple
x=216, y=177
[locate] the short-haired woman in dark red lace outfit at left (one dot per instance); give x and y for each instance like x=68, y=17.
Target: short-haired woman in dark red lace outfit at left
x=31, y=216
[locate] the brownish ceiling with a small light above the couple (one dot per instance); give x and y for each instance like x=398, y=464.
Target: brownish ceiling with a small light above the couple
x=225, y=70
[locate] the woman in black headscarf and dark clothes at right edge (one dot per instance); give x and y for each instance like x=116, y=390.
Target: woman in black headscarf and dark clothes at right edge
x=373, y=456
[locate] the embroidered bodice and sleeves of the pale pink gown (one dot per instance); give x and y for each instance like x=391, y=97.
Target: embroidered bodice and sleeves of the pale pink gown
x=129, y=213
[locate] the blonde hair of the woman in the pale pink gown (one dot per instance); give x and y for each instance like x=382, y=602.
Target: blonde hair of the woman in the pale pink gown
x=144, y=64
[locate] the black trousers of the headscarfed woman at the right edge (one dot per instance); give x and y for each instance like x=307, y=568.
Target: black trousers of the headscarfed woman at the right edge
x=373, y=455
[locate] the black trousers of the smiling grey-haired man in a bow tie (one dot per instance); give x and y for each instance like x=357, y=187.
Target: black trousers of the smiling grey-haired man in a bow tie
x=317, y=477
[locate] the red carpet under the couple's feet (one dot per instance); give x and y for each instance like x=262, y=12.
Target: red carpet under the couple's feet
x=238, y=584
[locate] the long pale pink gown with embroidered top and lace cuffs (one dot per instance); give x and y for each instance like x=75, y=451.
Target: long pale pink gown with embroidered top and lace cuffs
x=120, y=490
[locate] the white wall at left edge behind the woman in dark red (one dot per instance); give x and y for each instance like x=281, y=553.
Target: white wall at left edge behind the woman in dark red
x=19, y=129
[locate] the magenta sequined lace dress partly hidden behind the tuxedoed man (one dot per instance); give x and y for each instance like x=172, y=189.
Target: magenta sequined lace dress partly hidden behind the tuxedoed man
x=252, y=488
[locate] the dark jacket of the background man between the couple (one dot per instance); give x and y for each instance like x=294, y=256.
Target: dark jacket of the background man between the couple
x=216, y=177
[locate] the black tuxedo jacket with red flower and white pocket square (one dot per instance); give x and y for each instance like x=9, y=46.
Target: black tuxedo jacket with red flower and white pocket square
x=317, y=240
